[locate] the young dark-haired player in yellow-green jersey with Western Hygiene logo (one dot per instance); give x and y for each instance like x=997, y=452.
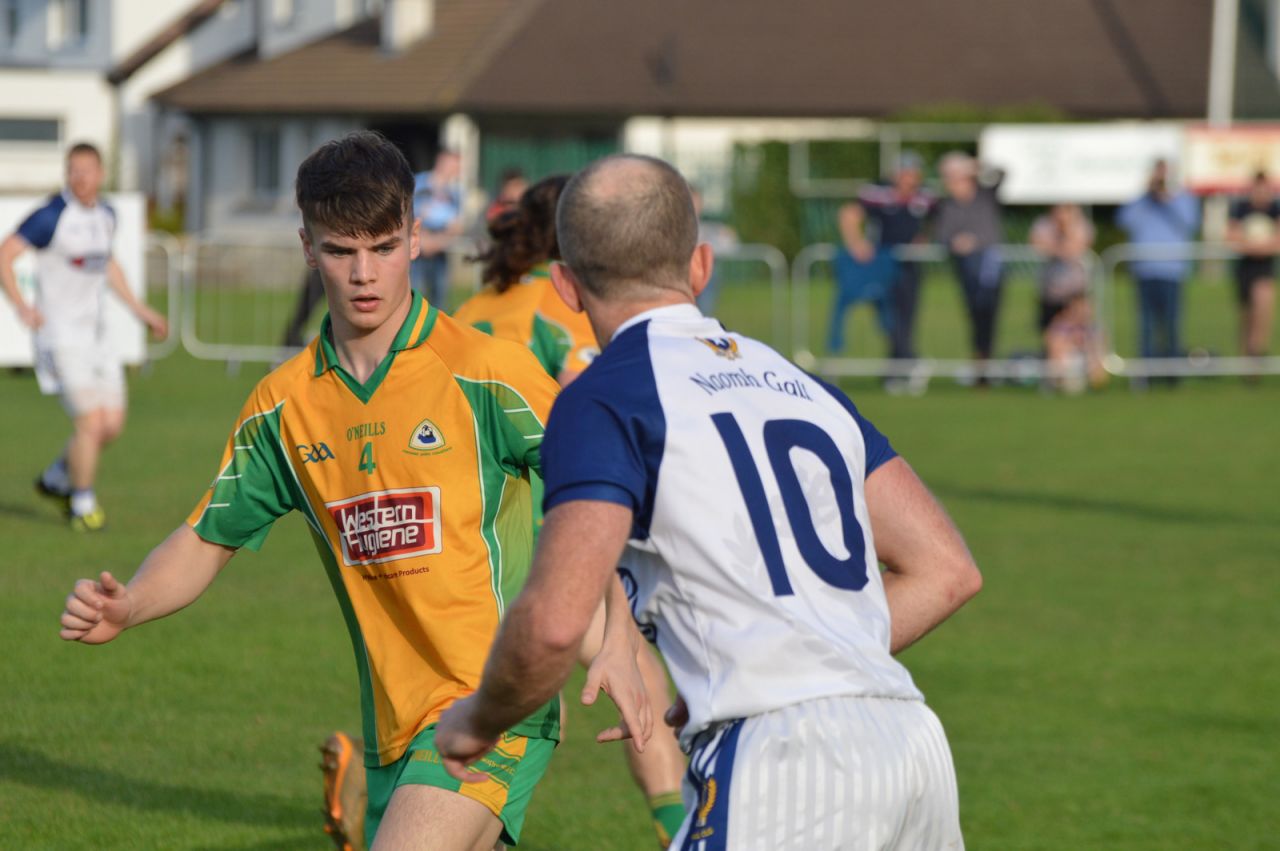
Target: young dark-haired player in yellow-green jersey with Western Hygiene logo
x=408, y=441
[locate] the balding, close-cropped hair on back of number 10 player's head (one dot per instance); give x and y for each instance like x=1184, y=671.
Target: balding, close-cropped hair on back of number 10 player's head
x=642, y=232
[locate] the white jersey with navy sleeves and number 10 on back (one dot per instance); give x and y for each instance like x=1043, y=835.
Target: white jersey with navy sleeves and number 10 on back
x=751, y=562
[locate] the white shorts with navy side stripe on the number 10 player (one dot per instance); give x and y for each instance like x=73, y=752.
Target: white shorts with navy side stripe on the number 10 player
x=848, y=774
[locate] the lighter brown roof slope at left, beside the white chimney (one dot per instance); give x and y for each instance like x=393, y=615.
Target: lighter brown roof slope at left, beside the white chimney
x=350, y=74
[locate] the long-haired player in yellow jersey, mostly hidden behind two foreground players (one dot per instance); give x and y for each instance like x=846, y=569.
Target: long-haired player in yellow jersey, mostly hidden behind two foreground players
x=520, y=304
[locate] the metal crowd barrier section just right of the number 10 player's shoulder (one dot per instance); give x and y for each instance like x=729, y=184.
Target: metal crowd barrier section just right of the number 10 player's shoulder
x=1022, y=263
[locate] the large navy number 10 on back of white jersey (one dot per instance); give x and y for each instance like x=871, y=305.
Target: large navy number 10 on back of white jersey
x=780, y=438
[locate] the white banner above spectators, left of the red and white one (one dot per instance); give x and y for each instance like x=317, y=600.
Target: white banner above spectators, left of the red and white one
x=1078, y=163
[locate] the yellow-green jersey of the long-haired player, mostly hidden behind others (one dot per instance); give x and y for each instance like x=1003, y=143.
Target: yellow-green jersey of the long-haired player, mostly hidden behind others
x=533, y=313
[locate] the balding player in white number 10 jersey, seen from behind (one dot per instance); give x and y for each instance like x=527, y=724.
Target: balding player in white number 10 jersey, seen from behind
x=749, y=506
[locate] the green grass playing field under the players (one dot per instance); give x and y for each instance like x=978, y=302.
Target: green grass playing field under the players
x=1116, y=687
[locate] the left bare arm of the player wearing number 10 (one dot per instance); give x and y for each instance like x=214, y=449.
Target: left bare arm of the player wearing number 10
x=537, y=648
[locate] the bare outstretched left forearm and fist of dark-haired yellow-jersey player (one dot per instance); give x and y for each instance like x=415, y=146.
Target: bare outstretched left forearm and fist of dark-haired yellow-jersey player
x=172, y=578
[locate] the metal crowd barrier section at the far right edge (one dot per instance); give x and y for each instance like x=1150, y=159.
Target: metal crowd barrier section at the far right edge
x=1205, y=346
